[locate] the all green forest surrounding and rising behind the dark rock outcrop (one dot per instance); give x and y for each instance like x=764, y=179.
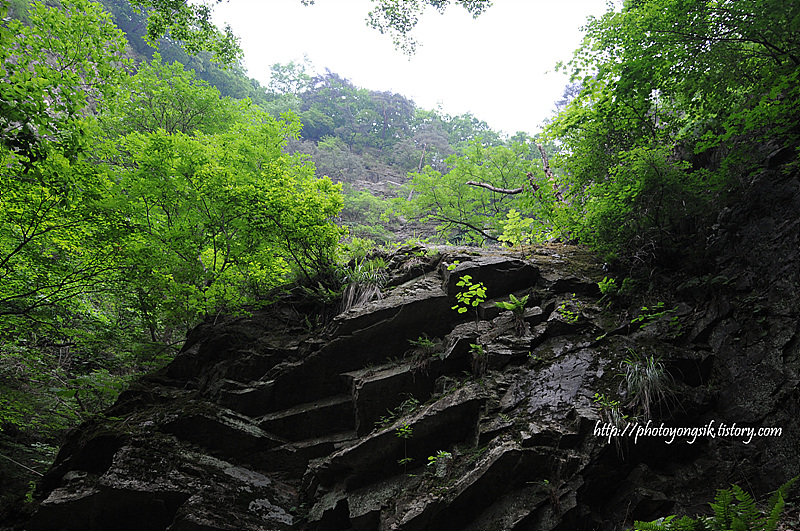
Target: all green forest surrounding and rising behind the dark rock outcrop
x=138, y=198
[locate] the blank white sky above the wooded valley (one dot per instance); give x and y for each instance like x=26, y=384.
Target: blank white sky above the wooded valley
x=498, y=66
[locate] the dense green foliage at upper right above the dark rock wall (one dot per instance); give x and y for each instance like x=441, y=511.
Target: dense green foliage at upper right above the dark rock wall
x=673, y=96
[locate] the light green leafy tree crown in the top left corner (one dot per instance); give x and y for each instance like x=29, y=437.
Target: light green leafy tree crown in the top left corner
x=49, y=78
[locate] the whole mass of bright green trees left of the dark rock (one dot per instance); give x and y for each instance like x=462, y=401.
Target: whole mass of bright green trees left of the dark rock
x=135, y=201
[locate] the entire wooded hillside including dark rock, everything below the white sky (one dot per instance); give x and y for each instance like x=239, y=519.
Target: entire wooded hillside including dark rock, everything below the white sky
x=178, y=233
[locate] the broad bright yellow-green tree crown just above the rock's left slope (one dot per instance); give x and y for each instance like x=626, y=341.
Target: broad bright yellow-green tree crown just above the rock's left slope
x=218, y=219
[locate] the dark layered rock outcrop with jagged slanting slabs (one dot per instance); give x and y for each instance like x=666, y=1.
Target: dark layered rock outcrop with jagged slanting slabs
x=258, y=424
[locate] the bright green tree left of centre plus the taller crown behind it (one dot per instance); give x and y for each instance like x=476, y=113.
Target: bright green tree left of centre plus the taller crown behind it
x=218, y=214
